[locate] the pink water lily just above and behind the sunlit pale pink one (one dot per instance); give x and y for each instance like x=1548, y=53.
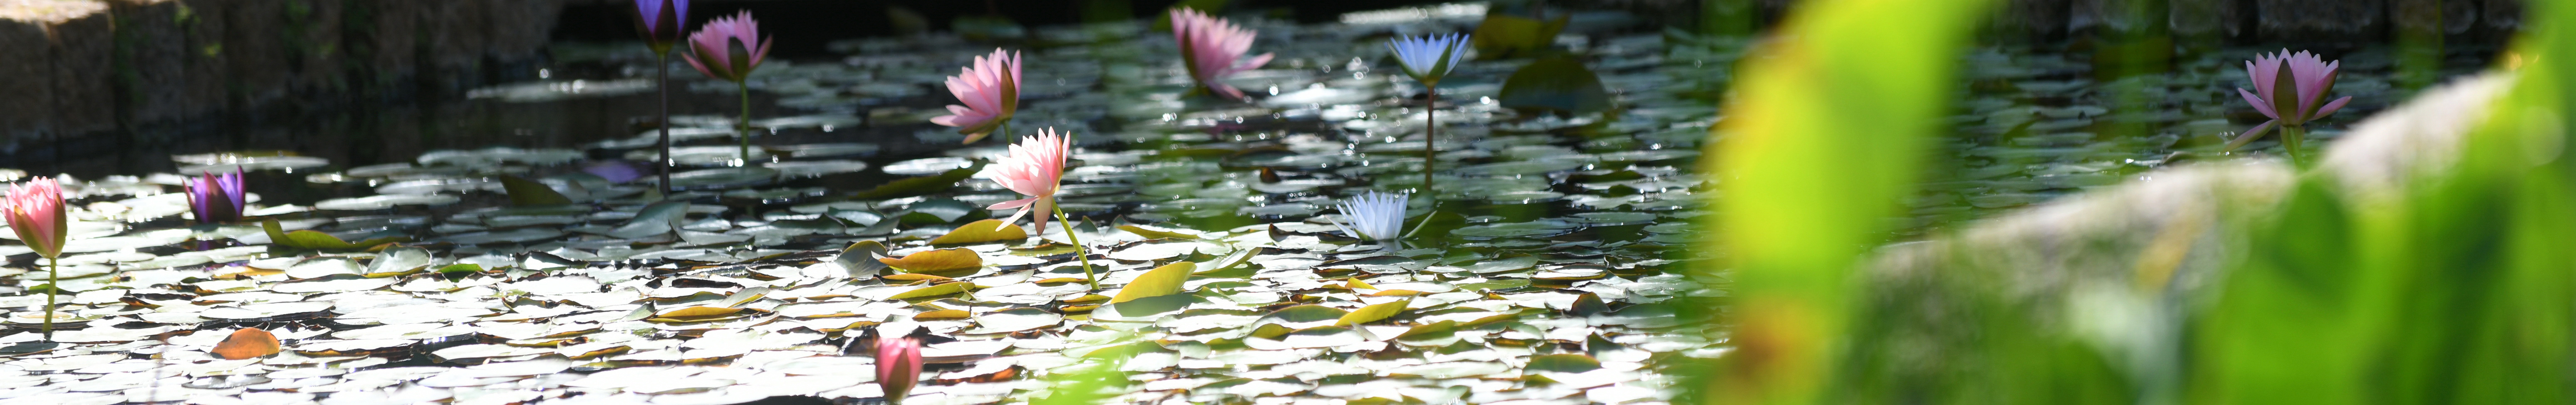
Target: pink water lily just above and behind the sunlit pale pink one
x=990, y=97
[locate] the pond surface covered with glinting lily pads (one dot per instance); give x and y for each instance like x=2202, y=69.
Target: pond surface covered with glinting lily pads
x=1552, y=267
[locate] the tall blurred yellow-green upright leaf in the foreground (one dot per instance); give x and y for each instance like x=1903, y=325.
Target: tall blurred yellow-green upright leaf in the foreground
x=1851, y=92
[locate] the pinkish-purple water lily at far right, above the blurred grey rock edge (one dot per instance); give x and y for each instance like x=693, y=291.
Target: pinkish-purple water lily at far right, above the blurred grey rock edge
x=2286, y=89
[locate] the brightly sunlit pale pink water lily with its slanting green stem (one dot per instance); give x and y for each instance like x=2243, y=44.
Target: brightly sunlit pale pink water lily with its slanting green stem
x=1037, y=169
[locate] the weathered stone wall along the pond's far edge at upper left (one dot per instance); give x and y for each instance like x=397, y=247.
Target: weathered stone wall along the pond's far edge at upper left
x=125, y=66
